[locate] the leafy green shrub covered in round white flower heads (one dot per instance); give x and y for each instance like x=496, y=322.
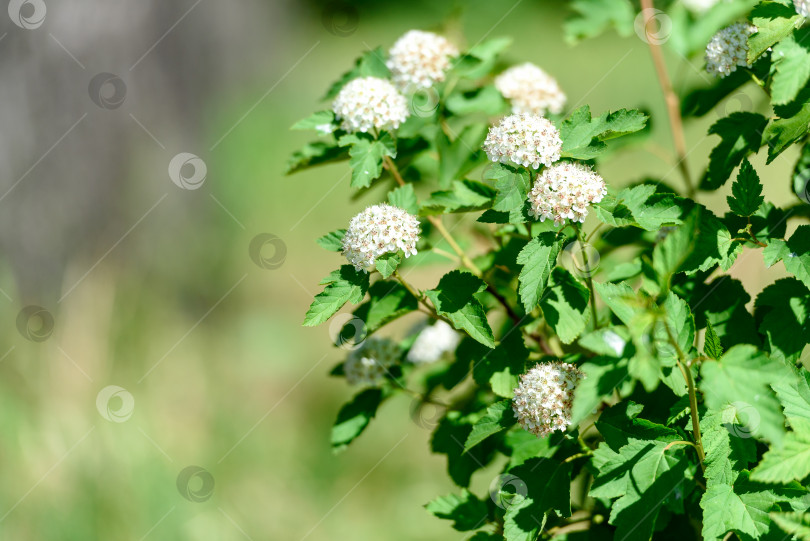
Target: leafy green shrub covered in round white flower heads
x=611, y=368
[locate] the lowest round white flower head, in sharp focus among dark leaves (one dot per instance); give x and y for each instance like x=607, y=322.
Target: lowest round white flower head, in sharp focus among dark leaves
x=544, y=397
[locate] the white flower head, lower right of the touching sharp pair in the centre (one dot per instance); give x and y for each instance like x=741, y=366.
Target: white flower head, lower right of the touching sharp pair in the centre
x=565, y=190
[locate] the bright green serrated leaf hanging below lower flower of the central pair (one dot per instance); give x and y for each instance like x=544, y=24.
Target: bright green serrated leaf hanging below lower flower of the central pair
x=538, y=258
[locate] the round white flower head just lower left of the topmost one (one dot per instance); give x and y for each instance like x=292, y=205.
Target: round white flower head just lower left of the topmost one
x=369, y=103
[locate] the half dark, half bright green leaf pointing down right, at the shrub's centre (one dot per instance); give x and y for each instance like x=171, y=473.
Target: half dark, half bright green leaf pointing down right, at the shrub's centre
x=453, y=299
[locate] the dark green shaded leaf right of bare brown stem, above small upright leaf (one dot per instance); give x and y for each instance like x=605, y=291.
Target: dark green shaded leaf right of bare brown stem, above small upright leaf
x=741, y=134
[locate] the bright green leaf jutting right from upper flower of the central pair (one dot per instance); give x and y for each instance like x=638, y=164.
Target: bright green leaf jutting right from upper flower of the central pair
x=583, y=137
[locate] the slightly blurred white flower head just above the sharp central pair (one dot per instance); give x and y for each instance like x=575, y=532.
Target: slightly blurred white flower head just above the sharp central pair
x=530, y=89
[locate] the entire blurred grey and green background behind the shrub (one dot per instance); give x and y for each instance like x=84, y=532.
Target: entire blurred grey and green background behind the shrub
x=154, y=289
